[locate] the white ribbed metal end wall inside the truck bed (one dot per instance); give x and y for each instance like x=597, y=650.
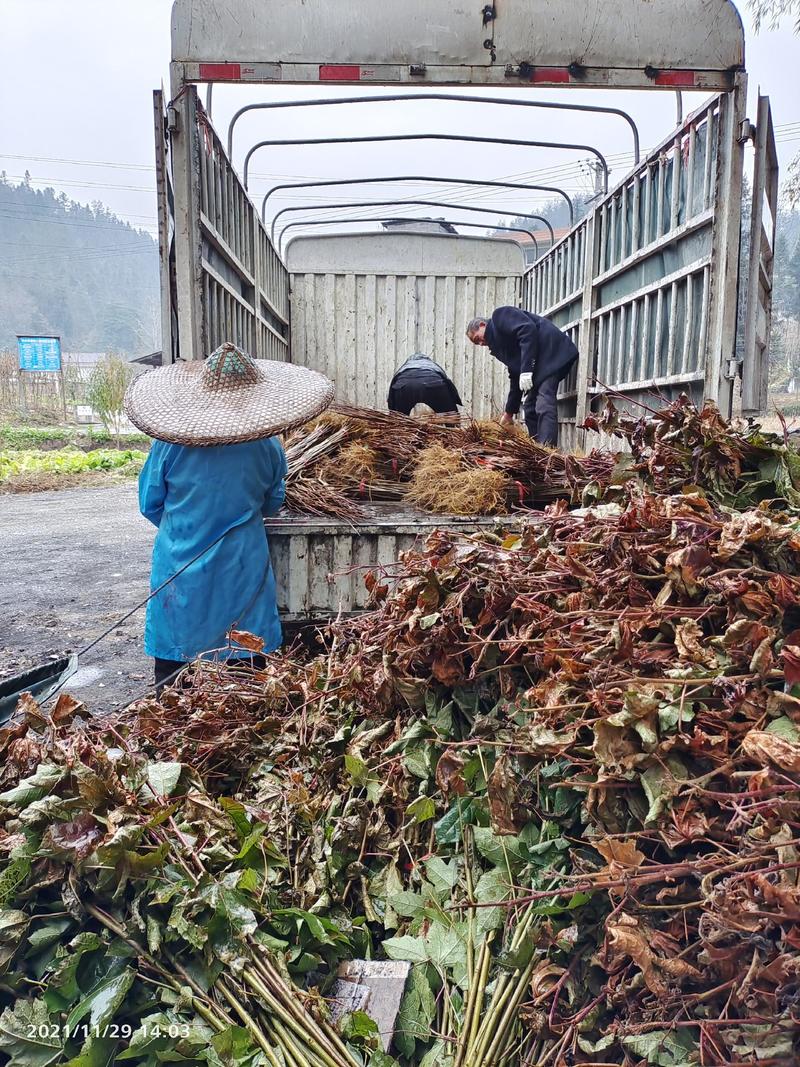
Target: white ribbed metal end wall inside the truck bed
x=358, y=329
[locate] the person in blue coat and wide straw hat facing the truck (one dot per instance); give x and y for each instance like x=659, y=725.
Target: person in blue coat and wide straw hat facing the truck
x=215, y=471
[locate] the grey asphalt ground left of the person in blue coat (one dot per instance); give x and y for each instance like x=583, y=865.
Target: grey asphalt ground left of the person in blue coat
x=73, y=563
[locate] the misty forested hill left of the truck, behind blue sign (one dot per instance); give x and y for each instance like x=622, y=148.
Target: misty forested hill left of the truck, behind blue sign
x=75, y=272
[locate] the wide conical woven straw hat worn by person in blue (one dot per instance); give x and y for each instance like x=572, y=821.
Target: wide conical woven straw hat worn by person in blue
x=228, y=399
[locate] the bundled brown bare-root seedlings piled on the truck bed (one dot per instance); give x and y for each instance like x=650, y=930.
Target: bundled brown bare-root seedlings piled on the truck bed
x=439, y=465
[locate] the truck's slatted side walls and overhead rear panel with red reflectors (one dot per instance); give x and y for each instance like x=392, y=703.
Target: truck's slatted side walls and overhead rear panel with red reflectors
x=647, y=282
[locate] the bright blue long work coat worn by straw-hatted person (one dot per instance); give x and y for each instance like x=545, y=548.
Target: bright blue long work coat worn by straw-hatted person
x=196, y=497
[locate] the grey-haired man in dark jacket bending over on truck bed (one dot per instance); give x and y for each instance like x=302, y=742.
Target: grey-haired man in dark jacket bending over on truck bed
x=538, y=357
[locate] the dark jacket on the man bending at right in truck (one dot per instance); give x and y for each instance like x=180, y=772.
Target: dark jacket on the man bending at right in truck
x=529, y=344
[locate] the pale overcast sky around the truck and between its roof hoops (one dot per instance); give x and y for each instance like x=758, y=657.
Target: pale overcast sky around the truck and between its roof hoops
x=77, y=82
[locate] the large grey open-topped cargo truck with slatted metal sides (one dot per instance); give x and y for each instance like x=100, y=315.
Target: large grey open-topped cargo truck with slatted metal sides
x=647, y=283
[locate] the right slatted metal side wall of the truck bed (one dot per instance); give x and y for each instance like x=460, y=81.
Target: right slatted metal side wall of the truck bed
x=643, y=284
